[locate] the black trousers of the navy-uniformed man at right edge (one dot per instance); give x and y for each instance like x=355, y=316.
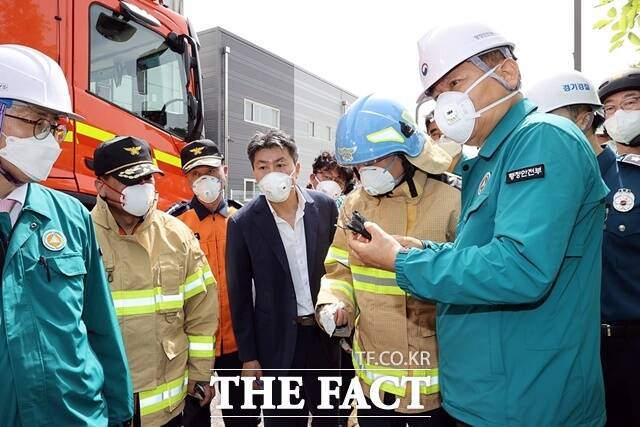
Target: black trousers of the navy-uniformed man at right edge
x=621, y=370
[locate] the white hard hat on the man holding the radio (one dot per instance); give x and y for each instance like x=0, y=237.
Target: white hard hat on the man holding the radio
x=444, y=48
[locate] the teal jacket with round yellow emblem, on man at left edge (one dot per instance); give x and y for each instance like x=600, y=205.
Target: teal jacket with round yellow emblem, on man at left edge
x=61, y=353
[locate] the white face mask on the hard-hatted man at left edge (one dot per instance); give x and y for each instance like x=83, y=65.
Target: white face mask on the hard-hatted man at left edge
x=32, y=156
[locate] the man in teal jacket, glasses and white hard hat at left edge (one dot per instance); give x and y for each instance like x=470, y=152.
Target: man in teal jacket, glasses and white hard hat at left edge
x=61, y=354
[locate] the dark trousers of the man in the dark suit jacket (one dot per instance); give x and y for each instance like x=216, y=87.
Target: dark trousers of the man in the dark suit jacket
x=309, y=354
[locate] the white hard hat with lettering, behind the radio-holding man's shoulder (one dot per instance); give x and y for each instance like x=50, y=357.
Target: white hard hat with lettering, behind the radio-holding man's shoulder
x=564, y=89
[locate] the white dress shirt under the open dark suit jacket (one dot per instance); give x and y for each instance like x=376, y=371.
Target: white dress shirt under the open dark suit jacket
x=295, y=245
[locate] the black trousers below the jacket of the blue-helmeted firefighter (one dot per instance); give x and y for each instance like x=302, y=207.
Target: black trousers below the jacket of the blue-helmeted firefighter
x=376, y=417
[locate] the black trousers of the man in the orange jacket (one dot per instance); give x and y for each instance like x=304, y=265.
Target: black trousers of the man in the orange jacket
x=227, y=365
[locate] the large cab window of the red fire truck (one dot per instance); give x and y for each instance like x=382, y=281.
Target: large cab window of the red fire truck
x=138, y=70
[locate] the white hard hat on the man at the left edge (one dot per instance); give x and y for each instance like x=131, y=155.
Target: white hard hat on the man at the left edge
x=30, y=76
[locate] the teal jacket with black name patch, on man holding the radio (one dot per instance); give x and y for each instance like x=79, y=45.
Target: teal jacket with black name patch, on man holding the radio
x=519, y=289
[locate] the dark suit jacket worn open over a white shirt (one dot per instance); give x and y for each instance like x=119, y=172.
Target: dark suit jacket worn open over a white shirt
x=266, y=330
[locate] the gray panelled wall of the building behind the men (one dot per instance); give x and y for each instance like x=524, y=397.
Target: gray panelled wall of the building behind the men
x=260, y=76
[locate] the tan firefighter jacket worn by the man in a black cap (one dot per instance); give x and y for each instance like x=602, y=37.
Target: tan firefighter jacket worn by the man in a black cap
x=165, y=298
